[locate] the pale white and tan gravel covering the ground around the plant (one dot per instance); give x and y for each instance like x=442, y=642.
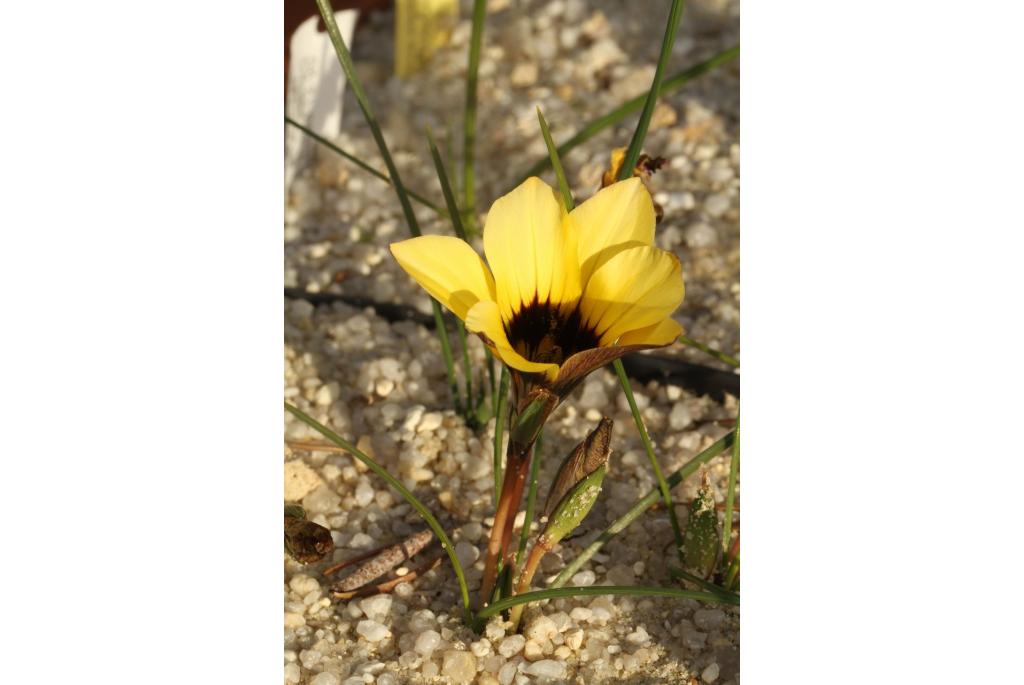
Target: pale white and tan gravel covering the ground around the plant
x=382, y=384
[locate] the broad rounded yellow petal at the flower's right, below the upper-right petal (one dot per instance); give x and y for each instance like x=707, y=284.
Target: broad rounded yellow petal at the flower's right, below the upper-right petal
x=635, y=288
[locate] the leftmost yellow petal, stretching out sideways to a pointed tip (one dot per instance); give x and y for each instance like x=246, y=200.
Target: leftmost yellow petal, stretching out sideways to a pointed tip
x=448, y=269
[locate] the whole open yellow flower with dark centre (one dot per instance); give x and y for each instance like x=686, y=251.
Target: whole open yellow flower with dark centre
x=566, y=292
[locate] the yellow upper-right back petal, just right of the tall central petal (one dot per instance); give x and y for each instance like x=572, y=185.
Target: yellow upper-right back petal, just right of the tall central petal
x=620, y=213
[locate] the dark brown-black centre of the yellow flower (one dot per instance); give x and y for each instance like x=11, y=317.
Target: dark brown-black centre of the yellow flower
x=549, y=333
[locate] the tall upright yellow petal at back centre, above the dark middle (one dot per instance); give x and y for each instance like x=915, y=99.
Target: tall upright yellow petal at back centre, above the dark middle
x=530, y=248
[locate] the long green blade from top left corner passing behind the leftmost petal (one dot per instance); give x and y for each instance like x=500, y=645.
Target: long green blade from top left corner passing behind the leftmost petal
x=327, y=12
